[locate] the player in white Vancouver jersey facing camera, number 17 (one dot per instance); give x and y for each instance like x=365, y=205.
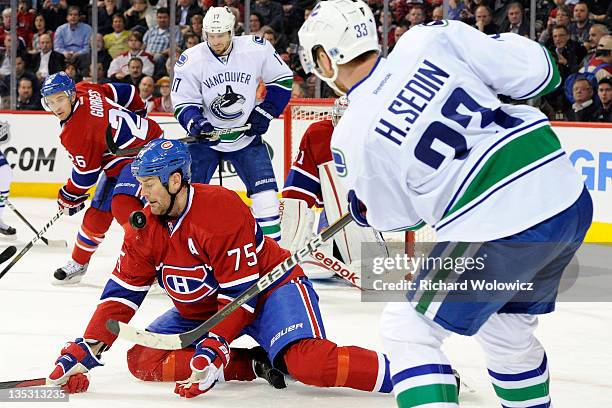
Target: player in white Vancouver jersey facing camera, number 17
x=214, y=87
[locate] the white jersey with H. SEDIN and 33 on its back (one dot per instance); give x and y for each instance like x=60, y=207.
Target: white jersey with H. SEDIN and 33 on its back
x=426, y=139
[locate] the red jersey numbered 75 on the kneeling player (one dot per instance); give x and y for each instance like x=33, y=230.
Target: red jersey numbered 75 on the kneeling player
x=203, y=260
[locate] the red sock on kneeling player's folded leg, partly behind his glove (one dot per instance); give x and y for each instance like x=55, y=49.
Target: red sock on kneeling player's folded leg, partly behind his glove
x=150, y=364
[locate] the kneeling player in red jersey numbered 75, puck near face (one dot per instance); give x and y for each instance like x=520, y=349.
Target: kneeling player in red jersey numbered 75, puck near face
x=202, y=244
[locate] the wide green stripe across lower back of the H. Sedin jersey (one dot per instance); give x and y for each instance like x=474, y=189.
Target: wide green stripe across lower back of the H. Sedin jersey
x=509, y=159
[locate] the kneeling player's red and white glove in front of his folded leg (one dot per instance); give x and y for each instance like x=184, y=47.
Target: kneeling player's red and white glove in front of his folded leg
x=209, y=359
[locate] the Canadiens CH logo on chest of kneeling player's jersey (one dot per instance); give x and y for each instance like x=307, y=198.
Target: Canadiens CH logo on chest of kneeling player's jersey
x=188, y=284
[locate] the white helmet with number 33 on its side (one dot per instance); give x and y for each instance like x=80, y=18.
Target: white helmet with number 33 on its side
x=344, y=29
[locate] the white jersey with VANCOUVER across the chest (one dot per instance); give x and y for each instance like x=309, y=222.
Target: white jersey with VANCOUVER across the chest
x=224, y=88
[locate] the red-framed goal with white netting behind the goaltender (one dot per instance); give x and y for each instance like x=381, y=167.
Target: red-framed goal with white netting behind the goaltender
x=298, y=115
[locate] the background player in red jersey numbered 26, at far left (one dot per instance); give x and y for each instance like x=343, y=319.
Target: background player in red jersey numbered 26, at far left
x=87, y=111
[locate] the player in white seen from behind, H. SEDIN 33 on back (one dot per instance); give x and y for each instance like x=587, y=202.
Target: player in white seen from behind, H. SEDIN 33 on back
x=425, y=139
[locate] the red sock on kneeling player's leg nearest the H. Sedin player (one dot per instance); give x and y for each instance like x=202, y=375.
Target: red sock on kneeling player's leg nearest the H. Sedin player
x=322, y=363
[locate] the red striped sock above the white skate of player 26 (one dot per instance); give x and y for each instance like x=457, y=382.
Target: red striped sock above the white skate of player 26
x=91, y=234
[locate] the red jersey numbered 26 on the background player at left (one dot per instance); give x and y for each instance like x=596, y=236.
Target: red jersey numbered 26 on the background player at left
x=98, y=108
